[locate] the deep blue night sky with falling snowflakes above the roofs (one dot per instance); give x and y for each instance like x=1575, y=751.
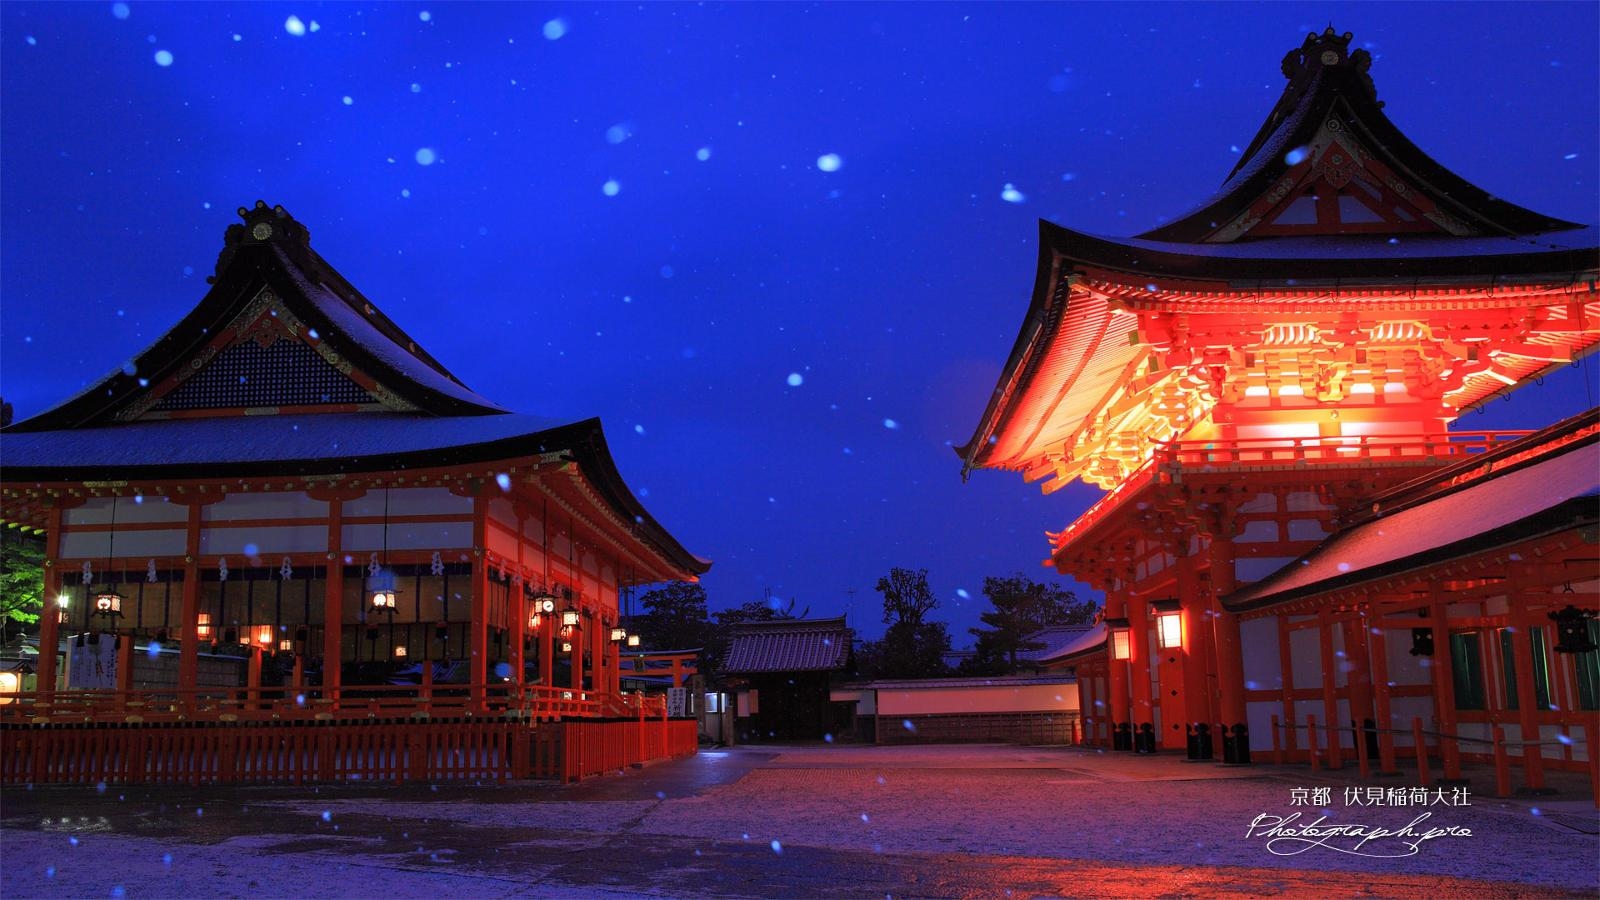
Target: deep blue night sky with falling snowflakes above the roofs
x=634, y=212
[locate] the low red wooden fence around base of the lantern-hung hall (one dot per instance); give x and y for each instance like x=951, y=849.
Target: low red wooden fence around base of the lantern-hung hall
x=380, y=734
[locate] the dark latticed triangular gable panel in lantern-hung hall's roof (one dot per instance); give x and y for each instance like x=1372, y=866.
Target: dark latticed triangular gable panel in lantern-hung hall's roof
x=287, y=374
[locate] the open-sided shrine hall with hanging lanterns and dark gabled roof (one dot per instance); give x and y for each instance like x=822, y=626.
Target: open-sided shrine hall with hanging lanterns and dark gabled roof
x=286, y=512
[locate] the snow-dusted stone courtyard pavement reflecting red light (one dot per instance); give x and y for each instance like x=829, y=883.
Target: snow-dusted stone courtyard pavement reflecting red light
x=796, y=822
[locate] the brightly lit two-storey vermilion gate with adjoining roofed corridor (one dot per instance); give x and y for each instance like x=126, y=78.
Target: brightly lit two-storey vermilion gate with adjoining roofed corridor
x=1266, y=387
